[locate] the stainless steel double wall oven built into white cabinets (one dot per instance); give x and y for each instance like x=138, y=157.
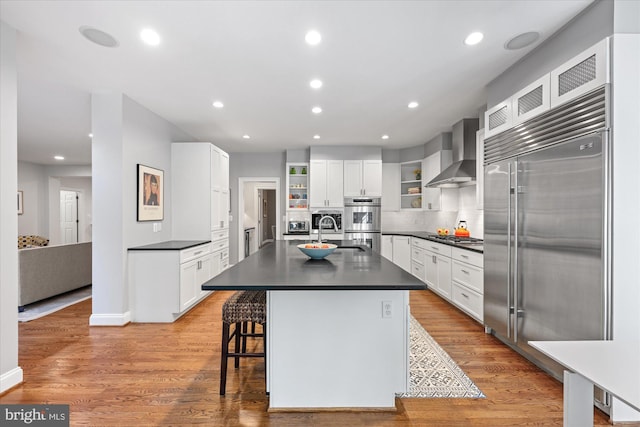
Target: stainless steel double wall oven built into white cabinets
x=362, y=221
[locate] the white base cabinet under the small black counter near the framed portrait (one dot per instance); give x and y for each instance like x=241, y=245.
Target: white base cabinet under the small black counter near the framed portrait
x=167, y=283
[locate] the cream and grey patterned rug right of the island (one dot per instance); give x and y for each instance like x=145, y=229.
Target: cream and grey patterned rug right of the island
x=432, y=373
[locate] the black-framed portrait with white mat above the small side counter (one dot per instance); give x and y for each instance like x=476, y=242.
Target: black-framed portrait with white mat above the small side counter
x=150, y=194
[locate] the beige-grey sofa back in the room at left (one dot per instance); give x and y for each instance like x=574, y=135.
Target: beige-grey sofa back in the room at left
x=52, y=270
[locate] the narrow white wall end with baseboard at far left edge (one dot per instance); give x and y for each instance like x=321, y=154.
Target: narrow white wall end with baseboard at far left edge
x=10, y=372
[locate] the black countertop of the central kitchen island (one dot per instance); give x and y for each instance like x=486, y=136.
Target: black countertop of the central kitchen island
x=282, y=266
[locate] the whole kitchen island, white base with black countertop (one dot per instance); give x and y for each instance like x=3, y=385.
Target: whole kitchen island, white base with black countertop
x=338, y=331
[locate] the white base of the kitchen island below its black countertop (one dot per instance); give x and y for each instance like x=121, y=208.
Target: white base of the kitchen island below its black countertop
x=337, y=349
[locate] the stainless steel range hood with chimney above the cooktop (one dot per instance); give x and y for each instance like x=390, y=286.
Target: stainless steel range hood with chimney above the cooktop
x=463, y=168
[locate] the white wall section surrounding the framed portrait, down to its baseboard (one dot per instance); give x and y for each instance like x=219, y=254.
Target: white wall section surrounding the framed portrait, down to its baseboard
x=124, y=134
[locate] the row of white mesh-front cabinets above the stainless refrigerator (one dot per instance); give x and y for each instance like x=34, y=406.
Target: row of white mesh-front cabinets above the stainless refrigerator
x=581, y=74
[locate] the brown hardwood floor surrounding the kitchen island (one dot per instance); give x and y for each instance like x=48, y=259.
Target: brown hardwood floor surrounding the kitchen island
x=168, y=374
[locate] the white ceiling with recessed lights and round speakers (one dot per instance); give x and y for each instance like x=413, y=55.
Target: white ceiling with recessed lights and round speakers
x=374, y=58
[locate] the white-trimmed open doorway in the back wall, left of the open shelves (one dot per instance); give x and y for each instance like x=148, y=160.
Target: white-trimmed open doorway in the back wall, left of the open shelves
x=258, y=213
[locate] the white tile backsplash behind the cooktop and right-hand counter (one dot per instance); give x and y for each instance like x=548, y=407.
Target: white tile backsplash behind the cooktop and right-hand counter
x=420, y=220
